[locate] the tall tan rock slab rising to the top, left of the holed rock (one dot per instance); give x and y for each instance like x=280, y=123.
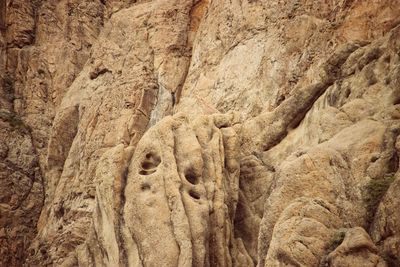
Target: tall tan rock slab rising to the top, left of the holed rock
x=103, y=109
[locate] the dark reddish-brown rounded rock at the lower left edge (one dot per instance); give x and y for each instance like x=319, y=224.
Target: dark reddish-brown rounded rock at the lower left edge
x=21, y=187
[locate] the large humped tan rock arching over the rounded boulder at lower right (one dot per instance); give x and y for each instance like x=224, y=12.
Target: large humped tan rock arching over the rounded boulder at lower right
x=323, y=172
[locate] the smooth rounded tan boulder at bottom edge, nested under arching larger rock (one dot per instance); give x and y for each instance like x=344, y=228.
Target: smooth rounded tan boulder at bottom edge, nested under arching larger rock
x=302, y=233
